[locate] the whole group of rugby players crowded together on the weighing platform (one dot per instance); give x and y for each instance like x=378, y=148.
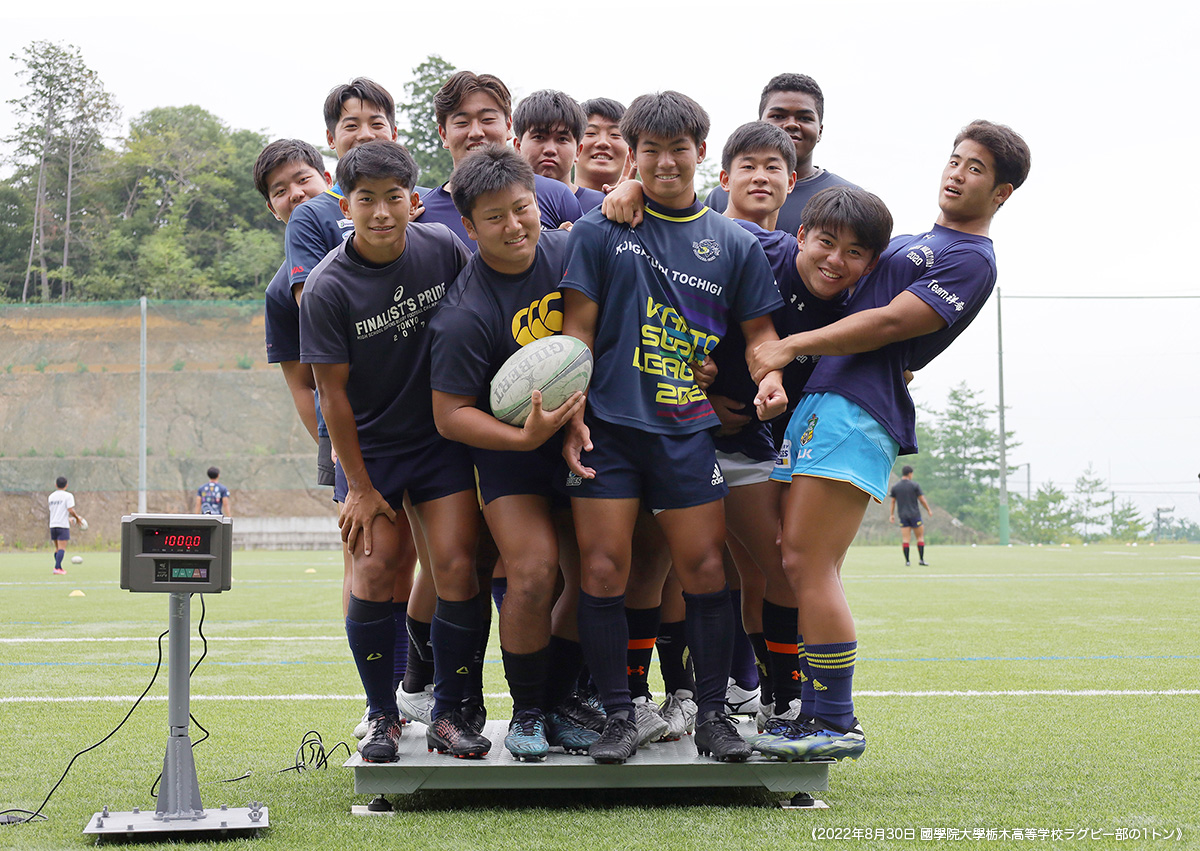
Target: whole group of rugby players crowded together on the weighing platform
x=621, y=519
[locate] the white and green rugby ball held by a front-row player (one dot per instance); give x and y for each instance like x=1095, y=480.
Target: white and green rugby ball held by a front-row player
x=557, y=365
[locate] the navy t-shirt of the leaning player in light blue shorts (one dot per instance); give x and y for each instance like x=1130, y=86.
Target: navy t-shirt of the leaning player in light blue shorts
x=953, y=273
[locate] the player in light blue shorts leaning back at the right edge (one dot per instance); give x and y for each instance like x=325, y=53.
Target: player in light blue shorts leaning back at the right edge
x=847, y=434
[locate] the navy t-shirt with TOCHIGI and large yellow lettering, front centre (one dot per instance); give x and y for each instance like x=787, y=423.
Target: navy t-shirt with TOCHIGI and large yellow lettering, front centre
x=668, y=292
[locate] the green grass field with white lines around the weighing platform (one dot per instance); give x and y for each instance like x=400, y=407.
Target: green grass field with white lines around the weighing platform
x=1001, y=690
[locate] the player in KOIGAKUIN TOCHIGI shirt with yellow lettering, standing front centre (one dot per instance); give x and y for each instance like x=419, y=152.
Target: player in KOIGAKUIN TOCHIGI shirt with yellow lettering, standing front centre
x=659, y=298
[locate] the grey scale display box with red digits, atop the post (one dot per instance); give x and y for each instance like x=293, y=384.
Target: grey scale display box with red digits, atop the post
x=176, y=554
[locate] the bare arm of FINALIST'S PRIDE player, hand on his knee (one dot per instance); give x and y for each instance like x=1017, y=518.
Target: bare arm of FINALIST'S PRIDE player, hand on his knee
x=363, y=501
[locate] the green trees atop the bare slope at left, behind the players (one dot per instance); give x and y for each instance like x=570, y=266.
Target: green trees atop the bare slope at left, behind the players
x=166, y=211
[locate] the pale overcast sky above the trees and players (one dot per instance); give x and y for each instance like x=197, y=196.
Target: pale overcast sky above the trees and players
x=1100, y=92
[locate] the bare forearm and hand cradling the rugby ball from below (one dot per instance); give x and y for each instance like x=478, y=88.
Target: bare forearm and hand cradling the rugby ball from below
x=459, y=419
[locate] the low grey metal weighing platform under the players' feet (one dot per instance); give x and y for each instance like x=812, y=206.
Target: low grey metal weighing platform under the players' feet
x=664, y=765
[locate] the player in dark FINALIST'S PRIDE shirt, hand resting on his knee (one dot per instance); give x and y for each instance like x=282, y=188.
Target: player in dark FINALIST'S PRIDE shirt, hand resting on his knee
x=364, y=328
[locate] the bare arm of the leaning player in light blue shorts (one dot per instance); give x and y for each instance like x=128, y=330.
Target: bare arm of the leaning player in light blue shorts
x=904, y=319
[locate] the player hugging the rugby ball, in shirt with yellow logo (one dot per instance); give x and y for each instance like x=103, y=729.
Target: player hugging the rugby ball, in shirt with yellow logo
x=515, y=274
